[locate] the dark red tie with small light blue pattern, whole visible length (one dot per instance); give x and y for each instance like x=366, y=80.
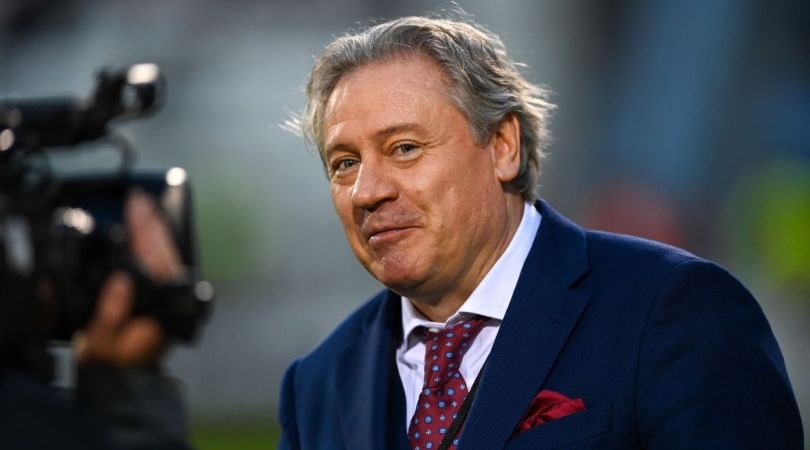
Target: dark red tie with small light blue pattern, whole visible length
x=444, y=390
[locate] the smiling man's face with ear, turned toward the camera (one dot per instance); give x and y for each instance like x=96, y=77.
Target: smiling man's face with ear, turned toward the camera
x=420, y=201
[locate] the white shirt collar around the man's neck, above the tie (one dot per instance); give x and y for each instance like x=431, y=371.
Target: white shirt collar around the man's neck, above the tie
x=492, y=295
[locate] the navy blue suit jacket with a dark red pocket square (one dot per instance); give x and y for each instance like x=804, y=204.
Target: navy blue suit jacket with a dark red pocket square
x=667, y=350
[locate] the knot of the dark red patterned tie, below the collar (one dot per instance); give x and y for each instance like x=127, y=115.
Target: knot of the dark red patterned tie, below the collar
x=444, y=349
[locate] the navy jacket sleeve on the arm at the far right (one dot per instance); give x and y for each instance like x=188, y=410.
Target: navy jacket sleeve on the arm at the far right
x=710, y=371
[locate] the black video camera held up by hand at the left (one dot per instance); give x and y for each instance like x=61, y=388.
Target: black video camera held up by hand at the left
x=62, y=236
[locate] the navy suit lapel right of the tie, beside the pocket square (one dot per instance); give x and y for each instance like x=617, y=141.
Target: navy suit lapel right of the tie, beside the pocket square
x=541, y=315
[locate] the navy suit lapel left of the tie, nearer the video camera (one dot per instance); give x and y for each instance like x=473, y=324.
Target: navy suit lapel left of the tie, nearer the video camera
x=364, y=376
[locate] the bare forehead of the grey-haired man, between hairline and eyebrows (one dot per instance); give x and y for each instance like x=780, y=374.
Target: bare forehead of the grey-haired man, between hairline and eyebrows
x=408, y=88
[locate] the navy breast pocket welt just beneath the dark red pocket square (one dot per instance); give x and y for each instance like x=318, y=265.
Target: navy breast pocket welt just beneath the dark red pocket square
x=566, y=430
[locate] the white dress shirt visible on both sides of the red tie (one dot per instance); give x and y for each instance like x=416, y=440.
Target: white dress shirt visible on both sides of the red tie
x=490, y=299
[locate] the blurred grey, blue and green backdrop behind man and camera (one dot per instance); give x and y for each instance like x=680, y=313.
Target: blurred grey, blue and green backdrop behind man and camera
x=687, y=122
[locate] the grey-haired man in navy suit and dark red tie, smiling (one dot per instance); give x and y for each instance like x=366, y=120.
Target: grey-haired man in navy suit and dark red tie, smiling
x=503, y=324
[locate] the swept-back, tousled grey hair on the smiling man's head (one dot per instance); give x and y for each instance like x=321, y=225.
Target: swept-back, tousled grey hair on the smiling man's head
x=485, y=84
